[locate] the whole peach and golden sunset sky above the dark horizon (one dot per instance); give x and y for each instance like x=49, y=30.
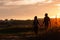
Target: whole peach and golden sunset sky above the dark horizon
x=27, y=9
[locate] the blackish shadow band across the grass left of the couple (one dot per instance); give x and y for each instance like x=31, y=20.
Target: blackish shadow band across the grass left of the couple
x=14, y=30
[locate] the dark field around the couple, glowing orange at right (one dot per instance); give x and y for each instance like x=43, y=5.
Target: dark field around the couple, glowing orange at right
x=23, y=30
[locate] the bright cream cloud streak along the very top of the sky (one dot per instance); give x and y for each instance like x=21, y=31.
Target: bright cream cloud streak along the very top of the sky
x=24, y=2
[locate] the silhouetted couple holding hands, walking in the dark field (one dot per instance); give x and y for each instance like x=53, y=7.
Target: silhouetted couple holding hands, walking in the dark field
x=45, y=22
